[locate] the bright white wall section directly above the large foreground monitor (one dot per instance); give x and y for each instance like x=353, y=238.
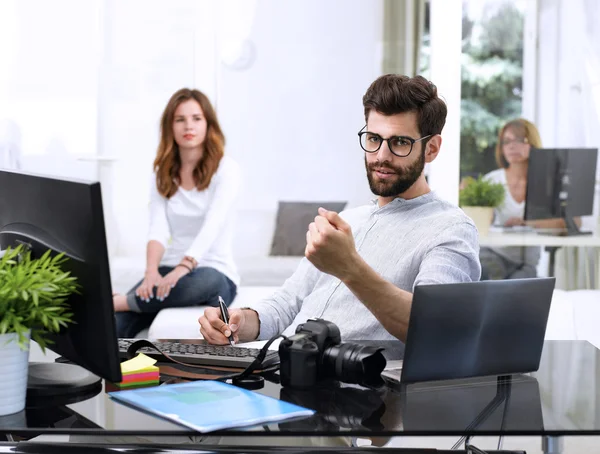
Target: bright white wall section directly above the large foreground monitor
x=48, y=83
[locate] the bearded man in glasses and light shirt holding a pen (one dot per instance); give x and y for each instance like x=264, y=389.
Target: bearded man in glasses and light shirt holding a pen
x=362, y=265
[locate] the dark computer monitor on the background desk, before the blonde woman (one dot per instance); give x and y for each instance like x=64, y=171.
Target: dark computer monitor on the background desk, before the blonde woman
x=561, y=184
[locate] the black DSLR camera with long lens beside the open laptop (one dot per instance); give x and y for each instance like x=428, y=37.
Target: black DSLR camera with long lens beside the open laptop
x=316, y=353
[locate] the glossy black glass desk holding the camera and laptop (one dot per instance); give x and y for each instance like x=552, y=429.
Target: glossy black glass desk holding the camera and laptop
x=561, y=399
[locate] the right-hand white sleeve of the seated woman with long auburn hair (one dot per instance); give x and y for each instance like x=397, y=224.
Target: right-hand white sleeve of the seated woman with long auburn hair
x=227, y=182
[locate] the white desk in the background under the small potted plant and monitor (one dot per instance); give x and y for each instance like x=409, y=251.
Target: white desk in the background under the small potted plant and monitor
x=549, y=242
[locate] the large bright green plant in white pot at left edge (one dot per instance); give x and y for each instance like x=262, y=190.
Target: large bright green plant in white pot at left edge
x=34, y=297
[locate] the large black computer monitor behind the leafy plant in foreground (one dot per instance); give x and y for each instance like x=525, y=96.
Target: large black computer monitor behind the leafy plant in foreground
x=66, y=216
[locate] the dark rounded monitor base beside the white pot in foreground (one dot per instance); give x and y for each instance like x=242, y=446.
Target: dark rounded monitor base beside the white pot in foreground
x=60, y=384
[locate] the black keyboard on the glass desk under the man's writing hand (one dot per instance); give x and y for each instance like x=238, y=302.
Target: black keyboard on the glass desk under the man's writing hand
x=203, y=354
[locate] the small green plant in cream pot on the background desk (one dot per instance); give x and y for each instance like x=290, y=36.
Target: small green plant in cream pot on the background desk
x=478, y=198
